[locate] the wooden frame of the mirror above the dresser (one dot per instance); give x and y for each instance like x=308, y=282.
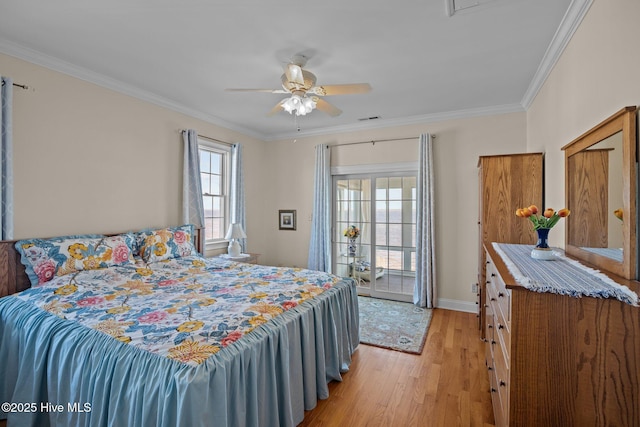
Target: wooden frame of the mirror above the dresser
x=623, y=121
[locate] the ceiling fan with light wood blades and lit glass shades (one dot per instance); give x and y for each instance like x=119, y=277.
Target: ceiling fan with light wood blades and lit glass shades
x=305, y=95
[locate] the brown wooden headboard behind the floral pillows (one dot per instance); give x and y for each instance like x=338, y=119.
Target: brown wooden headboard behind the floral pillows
x=13, y=277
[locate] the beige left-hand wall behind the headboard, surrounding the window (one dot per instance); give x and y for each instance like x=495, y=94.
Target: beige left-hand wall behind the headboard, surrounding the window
x=88, y=159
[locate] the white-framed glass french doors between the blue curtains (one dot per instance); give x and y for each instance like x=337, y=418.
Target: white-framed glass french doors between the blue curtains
x=383, y=208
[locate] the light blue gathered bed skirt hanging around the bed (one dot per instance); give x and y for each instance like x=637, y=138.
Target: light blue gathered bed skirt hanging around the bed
x=59, y=373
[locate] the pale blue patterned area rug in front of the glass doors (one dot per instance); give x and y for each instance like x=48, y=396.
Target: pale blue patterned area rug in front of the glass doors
x=394, y=325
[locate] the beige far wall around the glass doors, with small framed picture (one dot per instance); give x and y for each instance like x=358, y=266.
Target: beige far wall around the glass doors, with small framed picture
x=456, y=149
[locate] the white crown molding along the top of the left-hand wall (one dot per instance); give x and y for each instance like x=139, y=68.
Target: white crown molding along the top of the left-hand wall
x=55, y=64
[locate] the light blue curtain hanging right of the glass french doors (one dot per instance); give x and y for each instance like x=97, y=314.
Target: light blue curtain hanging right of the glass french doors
x=424, y=293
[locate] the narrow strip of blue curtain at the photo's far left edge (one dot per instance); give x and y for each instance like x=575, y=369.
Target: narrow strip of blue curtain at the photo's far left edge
x=6, y=162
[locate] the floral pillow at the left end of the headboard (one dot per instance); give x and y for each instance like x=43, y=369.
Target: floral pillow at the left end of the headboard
x=45, y=258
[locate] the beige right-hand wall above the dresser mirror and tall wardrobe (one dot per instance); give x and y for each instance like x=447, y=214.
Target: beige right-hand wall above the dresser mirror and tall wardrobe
x=595, y=77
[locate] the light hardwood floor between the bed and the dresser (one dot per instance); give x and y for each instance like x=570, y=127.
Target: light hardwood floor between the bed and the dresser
x=447, y=385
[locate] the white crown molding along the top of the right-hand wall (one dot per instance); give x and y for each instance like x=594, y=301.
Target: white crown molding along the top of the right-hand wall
x=570, y=23
